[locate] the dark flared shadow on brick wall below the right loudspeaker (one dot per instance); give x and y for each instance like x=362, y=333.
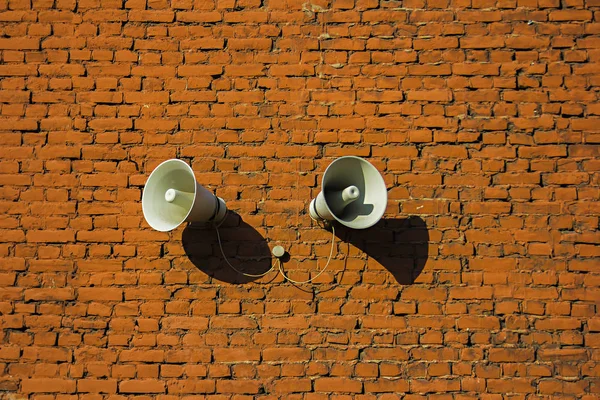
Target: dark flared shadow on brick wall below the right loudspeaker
x=400, y=245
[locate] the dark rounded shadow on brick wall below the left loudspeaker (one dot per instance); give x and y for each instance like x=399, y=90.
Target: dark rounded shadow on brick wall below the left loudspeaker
x=244, y=247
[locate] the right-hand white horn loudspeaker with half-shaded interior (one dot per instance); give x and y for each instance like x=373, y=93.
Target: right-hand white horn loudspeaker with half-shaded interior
x=353, y=193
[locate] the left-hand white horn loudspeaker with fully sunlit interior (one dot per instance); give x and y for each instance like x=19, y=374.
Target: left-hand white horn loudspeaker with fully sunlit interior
x=172, y=196
